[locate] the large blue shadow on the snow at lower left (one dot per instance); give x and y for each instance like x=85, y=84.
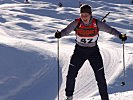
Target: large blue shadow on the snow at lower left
x=27, y=74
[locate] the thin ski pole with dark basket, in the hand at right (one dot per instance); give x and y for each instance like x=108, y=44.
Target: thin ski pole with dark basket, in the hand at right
x=123, y=82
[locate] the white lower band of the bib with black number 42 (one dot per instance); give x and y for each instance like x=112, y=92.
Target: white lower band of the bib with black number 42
x=86, y=40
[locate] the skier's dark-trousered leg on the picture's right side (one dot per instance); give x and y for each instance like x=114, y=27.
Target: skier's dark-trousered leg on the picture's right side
x=97, y=66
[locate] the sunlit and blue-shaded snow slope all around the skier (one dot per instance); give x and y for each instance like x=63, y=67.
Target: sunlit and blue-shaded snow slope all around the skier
x=28, y=50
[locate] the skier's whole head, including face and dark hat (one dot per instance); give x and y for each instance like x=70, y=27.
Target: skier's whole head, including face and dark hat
x=85, y=13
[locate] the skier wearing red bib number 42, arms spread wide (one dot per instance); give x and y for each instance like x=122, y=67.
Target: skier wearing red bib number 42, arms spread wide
x=87, y=32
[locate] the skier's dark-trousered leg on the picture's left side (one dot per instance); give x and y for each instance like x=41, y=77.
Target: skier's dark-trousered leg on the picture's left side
x=75, y=64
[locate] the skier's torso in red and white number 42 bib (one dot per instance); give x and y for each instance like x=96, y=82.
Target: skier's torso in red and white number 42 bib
x=87, y=34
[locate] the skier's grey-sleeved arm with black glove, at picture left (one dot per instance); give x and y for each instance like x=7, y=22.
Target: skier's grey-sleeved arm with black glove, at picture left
x=67, y=30
